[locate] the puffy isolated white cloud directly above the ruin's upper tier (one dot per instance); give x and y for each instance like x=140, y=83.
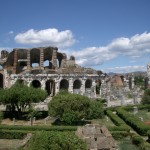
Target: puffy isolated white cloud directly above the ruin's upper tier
x=46, y=37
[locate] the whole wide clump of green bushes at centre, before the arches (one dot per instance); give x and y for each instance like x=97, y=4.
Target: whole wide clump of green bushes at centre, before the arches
x=70, y=108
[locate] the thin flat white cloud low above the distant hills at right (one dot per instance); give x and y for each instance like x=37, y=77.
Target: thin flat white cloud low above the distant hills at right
x=126, y=69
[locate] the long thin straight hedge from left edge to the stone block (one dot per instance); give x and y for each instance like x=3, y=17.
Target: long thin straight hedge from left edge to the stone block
x=39, y=128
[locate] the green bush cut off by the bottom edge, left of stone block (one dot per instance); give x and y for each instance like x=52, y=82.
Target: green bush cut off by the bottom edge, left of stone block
x=56, y=141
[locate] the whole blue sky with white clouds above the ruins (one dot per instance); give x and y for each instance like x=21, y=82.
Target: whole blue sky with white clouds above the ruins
x=107, y=35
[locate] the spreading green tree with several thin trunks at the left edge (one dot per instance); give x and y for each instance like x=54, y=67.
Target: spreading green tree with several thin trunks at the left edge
x=19, y=96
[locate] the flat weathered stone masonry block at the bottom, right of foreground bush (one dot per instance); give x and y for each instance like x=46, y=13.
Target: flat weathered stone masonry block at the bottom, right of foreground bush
x=97, y=137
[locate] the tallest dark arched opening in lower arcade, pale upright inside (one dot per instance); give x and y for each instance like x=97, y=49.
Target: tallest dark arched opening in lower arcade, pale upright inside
x=50, y=87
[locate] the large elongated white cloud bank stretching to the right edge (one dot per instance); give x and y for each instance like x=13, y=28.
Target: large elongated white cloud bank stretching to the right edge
x=133, y=47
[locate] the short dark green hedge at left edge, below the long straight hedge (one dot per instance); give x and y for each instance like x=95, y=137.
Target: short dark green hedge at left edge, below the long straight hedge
x=11, y=134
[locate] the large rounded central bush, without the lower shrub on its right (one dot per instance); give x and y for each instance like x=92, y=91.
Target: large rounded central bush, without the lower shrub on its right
x=69, y=108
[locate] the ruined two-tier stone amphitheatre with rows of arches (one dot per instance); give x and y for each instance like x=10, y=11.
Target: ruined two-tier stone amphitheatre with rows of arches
x=48, y=69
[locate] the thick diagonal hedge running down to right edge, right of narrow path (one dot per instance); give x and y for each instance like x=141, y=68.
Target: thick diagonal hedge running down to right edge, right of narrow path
x=133, y=121
